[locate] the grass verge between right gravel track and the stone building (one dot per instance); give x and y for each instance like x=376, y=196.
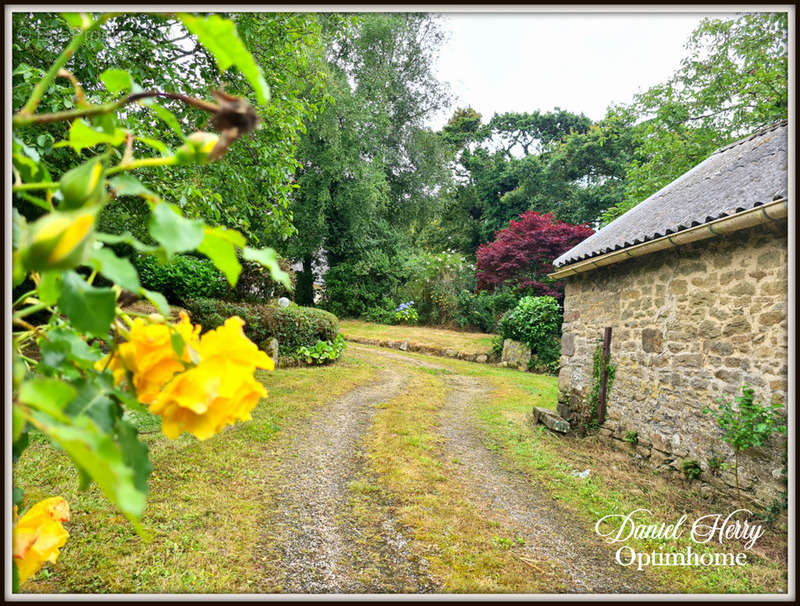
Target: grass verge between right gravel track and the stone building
x=618, y=485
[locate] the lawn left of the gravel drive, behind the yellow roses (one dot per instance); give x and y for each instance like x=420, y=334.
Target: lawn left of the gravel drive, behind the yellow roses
x=206, y=505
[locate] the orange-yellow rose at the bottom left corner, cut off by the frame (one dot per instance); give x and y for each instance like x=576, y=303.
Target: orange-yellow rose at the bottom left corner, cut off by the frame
x=38, y=535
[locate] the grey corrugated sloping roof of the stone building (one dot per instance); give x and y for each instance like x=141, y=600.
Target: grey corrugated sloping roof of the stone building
x=736, y=177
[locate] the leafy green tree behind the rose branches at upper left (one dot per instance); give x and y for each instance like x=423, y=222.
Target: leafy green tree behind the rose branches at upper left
x=160, y=54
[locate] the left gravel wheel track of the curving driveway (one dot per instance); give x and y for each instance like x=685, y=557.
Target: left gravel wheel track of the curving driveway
x=317, y=536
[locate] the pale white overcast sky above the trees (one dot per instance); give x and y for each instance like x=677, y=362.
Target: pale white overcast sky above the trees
x=579, y=62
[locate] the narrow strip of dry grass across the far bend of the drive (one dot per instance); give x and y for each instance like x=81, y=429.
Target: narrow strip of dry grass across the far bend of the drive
x=442, y=338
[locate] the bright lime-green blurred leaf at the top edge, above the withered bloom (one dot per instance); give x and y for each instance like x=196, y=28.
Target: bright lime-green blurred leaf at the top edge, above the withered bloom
x=219, y=36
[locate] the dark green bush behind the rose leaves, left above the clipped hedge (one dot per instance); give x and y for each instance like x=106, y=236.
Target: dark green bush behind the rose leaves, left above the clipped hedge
x=185, y=277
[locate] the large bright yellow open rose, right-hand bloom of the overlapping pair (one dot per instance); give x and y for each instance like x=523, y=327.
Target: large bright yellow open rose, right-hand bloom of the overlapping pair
x=219, y=391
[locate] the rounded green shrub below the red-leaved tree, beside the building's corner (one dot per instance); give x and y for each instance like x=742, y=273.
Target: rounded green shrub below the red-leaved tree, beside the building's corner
x=535, y=321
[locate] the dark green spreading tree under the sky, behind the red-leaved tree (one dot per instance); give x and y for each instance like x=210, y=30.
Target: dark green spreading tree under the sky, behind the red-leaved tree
x=551, y=162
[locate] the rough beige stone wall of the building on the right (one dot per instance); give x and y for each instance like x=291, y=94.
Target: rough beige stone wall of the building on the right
x=689, y=325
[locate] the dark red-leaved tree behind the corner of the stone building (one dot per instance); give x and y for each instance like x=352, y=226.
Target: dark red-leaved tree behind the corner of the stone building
x=522, y=255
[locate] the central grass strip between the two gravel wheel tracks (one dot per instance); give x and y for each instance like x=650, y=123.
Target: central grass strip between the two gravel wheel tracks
x=467, y=550
